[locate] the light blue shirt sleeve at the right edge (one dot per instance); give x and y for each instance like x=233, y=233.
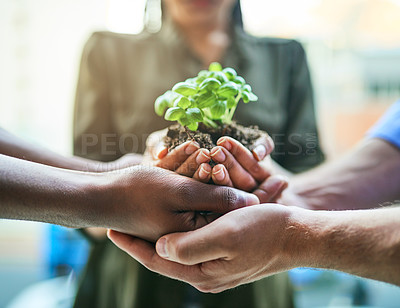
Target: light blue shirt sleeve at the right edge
x=388, y=127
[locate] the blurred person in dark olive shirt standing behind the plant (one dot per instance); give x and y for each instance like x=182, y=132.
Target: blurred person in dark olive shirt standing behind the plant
x=120, y=78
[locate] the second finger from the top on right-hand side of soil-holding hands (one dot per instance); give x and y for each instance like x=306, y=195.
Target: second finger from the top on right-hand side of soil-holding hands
x=240, y=178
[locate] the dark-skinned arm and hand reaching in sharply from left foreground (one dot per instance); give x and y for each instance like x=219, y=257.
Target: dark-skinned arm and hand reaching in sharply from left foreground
x=146, y=202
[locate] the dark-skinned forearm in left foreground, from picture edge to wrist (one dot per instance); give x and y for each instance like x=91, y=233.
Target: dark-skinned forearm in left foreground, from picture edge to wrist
x=30, y=191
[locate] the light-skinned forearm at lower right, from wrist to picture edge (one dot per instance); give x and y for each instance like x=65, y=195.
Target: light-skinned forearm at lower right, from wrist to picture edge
x=364, y=242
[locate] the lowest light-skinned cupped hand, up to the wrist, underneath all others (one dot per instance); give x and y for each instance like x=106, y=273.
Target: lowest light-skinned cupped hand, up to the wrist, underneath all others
x=239, y=247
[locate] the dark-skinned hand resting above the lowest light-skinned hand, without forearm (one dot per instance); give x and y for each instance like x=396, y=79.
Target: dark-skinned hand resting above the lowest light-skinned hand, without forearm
x=149, y=202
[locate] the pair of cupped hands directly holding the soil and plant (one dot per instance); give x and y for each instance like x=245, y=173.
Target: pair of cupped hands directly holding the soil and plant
x=236, y=165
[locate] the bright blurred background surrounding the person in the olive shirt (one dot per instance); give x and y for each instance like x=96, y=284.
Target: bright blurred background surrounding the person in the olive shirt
x=353, y=49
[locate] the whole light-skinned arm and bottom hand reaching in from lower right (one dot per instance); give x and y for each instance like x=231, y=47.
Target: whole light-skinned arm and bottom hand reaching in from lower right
x=251, y=243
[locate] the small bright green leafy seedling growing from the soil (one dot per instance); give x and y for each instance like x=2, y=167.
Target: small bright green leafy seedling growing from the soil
x=210, y=98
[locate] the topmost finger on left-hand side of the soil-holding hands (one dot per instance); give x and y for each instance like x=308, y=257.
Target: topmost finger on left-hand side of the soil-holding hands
x=177, y=156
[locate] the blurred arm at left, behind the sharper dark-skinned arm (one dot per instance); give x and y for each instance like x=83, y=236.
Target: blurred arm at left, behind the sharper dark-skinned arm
x=11, y=145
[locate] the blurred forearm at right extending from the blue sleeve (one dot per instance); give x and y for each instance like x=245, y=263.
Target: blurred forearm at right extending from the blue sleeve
x=364, y=178
